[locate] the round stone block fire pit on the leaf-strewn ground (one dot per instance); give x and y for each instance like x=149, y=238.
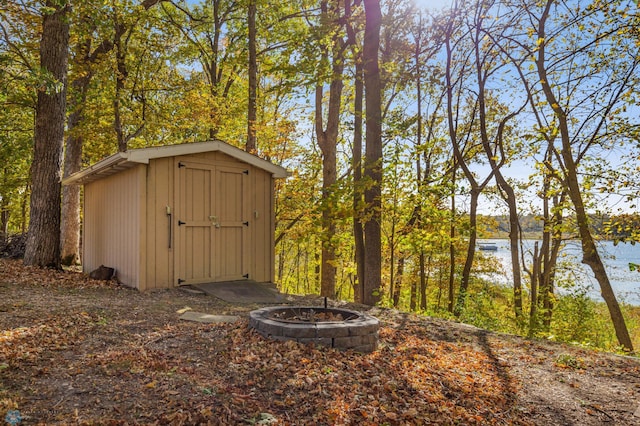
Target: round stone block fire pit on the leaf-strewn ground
x=333, y=327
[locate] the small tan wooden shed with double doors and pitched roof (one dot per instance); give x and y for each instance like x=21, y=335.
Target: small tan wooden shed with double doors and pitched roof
x=180, y=214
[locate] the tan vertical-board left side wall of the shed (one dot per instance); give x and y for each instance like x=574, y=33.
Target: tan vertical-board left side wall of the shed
x=112, y=225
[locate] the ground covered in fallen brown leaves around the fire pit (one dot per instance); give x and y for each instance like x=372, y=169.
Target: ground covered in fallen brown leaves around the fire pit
x=79, y=351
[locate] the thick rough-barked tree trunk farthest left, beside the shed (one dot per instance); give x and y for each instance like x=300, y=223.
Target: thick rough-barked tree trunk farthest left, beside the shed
x=43, y=240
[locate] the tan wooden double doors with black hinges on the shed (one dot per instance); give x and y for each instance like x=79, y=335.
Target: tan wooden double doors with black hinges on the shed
x=212, y=227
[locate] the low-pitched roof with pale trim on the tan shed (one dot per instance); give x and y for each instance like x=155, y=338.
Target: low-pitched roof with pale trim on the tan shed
x=126, y=160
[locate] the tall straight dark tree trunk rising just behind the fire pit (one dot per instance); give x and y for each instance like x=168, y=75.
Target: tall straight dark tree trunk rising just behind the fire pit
x=373, y=155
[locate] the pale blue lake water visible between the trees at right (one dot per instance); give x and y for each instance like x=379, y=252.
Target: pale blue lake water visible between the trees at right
x=625, y=283
